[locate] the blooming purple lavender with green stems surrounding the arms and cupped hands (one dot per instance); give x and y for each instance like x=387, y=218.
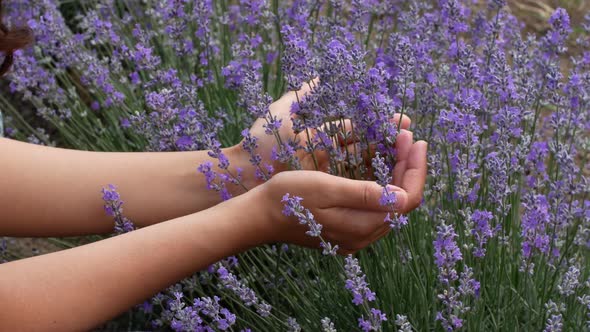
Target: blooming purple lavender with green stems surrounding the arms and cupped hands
x=502, y=237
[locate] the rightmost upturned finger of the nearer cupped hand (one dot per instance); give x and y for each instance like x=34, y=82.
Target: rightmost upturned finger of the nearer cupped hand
x=414, y=177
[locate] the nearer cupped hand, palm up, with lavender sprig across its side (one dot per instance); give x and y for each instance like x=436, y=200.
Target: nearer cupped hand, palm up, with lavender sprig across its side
x=348, y=210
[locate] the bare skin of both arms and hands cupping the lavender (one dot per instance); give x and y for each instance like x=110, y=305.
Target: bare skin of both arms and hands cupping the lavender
x=56, y=192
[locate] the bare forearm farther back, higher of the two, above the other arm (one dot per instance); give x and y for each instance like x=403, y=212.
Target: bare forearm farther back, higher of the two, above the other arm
x=52, y=192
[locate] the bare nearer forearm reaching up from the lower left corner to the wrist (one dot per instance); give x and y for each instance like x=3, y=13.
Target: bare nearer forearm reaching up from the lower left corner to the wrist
x=79, y=288
